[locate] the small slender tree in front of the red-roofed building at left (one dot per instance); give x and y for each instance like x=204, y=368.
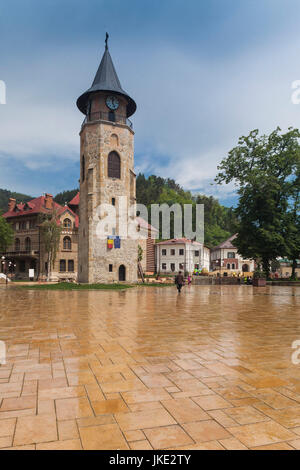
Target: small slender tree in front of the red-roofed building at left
x=50, y=237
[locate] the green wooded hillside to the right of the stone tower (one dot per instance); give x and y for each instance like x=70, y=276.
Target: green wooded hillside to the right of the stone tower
x=219, y=221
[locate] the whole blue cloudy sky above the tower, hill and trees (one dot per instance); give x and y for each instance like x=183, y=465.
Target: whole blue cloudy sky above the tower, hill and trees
x=202, y=73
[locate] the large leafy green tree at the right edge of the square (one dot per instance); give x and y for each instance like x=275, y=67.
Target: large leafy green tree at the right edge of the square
x=265, y=169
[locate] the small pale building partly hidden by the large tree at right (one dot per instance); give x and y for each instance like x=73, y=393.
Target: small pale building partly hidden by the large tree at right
x=225, y=258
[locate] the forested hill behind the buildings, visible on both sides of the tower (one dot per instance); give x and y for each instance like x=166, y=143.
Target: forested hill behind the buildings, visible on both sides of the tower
x=219, y=220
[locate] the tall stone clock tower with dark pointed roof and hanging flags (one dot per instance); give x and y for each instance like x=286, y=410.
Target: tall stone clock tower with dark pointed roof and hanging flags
x=106, y=174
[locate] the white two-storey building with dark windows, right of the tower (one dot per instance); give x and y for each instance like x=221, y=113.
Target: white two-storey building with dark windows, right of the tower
x=181, y=254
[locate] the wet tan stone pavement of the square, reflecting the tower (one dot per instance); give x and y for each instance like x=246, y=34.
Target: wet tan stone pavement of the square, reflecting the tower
x=147, y=368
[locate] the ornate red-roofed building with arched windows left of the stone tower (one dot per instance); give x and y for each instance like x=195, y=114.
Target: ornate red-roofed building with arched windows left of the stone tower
x=27, y=252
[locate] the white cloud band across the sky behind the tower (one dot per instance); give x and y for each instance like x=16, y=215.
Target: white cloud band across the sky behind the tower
x=191, y=110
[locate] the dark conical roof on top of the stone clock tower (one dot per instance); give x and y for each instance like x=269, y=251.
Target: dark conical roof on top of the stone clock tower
x=106, y=79
